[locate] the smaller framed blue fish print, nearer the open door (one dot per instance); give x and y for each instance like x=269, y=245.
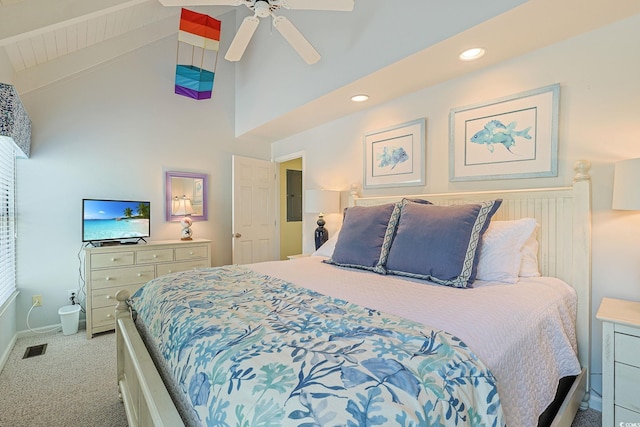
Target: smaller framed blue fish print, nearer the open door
x=395, y=156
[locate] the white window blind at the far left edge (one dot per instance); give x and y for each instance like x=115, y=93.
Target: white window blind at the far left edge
x=7, y=220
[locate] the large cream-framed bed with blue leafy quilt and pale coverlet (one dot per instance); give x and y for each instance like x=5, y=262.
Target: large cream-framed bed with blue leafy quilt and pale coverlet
x=378, y=324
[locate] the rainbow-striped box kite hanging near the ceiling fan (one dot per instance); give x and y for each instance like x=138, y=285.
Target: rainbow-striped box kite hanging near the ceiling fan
x=202, y=33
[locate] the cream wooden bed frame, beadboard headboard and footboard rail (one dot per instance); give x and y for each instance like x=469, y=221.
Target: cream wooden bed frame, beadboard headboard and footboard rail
x=564, y=215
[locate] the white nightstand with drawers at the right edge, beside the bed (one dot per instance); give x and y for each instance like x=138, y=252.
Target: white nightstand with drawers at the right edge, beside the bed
x=620, y=361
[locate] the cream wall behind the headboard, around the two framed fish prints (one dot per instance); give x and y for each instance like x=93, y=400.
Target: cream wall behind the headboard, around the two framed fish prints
x=599, y=112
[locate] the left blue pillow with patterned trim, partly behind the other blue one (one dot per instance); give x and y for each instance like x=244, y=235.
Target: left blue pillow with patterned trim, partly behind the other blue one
x=362, y=236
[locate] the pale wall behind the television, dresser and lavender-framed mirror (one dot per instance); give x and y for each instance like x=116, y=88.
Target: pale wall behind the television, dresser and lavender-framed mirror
x=113, y=132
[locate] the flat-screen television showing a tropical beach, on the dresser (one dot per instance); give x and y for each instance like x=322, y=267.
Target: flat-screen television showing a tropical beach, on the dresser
x=115, y=221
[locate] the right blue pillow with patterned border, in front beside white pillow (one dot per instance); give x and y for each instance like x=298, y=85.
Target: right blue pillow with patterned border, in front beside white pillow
x=440, y=243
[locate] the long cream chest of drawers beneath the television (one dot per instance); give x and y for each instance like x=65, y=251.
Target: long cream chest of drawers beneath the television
x=111, y=268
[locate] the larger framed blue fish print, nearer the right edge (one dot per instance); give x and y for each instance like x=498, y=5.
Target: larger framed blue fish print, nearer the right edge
x=507, y=138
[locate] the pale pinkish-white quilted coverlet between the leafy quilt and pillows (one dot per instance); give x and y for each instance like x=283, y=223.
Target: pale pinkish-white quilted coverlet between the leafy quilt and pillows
x=524, y=332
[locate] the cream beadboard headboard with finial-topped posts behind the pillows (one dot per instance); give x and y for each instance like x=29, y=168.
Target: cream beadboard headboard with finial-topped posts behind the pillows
x=564, y=215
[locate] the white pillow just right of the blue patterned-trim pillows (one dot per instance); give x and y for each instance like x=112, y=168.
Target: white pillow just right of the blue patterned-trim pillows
x=500, y=254
